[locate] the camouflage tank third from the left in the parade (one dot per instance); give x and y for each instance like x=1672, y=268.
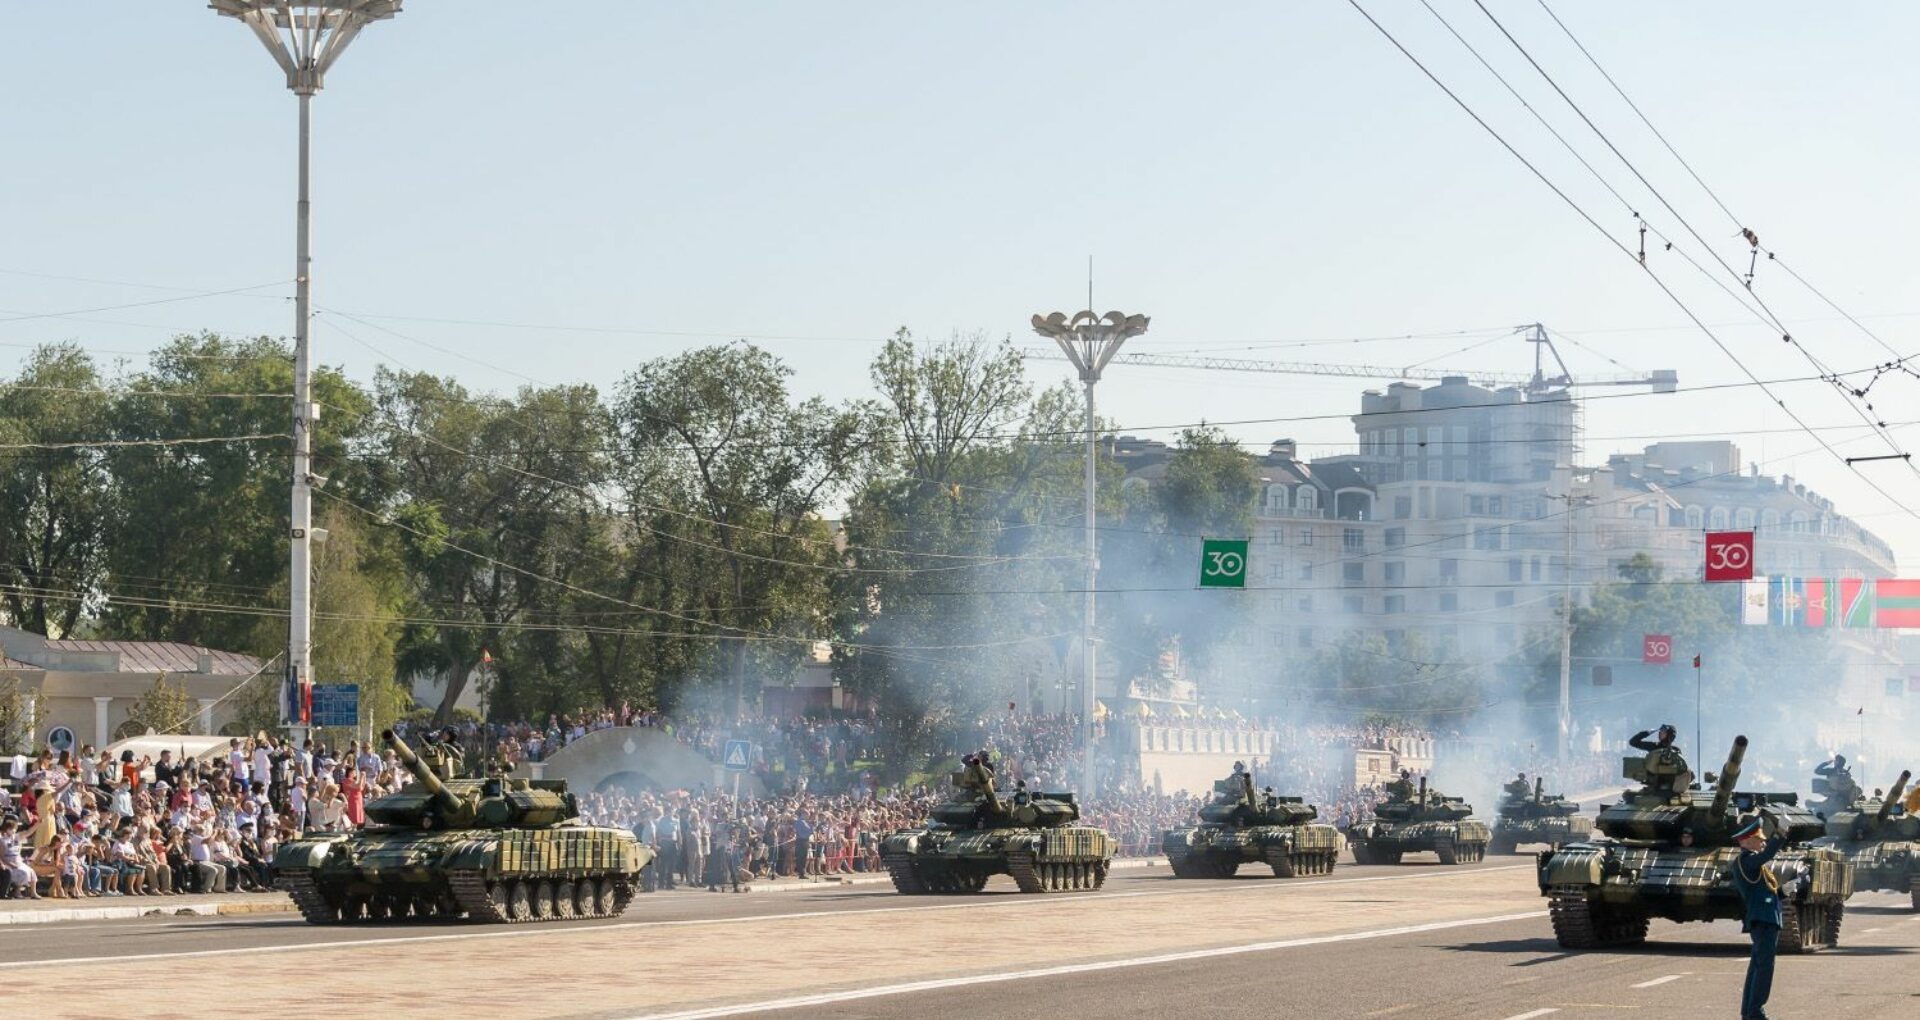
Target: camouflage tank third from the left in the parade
x=1266, y=831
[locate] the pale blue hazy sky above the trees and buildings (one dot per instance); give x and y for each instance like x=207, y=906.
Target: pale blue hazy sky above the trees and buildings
x=627, y=178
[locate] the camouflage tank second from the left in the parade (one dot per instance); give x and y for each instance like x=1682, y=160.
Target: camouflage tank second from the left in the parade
x=978, y=835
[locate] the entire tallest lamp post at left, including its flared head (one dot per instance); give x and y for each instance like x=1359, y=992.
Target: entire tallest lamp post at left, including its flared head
x=306, y=37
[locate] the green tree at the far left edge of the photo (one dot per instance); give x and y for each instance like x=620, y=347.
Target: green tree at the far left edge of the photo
x=57, y=500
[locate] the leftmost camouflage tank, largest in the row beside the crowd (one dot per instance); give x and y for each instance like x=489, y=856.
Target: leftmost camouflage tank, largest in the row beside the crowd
x=489, y=850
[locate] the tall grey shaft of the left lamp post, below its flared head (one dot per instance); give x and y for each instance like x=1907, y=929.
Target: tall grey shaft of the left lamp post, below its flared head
x=300, y=571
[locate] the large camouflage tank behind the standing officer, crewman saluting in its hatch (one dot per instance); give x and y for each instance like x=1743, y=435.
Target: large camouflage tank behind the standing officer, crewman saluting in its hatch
x=1671, y=856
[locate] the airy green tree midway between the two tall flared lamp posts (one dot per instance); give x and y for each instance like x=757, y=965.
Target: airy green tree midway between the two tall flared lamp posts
x=721, y=460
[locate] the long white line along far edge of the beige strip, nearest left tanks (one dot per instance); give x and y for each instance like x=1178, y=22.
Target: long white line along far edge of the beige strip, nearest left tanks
x=537, y=931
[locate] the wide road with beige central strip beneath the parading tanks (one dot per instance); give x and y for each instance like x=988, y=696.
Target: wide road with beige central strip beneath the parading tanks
x=1416, y=942
